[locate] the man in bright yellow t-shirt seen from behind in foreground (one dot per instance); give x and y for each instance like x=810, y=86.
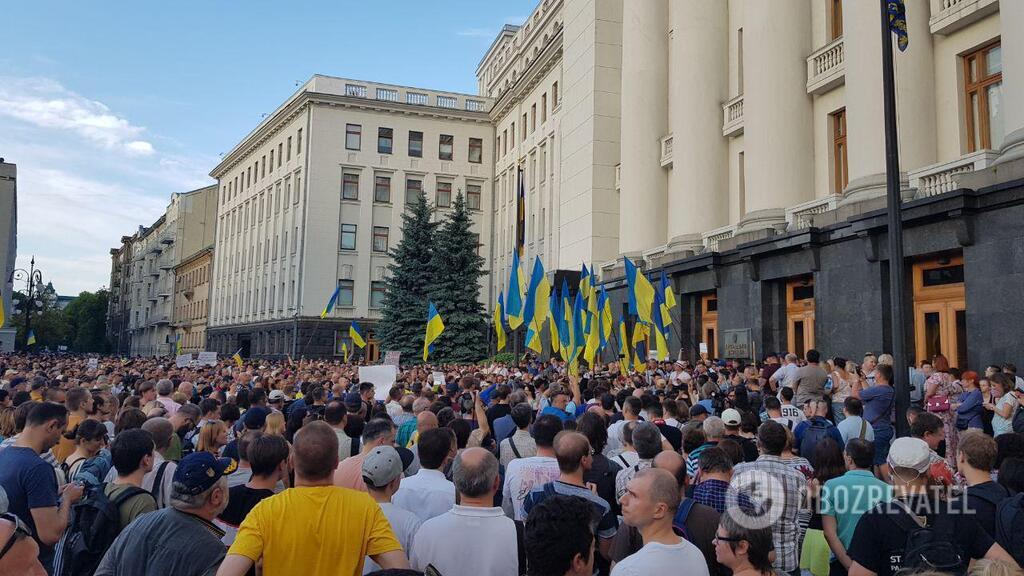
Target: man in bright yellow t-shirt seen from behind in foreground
x=316, y=528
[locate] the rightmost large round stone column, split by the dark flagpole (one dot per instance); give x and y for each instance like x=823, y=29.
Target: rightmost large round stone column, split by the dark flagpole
x=865, y=115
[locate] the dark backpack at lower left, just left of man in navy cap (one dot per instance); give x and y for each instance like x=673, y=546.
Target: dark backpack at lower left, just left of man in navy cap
x=97, y=524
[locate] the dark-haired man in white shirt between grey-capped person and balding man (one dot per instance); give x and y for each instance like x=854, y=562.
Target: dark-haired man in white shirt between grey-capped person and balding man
x=429, y=493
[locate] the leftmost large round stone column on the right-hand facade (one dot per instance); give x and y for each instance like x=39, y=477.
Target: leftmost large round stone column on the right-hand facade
x=645, y=122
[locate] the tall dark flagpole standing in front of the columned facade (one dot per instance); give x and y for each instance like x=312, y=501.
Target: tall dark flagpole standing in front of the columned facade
x=901, y=374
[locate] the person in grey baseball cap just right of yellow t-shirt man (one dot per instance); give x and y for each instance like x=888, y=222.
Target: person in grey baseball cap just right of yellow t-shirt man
x=383, y=470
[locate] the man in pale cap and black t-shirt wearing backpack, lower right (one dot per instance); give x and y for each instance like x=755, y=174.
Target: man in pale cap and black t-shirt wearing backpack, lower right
x=880, y=545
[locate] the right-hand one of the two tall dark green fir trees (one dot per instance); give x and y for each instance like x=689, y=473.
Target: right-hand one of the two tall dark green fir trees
x=455, y=289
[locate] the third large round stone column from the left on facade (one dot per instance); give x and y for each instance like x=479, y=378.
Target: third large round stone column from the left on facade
x=778, y=132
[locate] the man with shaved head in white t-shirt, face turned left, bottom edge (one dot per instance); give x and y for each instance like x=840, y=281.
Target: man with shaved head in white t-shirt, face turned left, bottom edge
x=650, y=505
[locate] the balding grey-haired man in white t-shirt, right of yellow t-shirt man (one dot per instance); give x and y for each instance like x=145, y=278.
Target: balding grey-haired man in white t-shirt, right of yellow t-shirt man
x=475, y=538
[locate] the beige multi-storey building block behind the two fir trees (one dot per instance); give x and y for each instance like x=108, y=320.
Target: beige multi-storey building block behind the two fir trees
x=313, y=199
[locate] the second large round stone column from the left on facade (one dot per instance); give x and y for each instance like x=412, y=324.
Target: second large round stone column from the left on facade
x=699, y=183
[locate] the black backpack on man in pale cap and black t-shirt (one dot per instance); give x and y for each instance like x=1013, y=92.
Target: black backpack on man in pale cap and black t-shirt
x=930, y=548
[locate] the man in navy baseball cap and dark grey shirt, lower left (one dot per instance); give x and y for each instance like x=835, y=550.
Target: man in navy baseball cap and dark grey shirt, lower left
x=182, y=539
